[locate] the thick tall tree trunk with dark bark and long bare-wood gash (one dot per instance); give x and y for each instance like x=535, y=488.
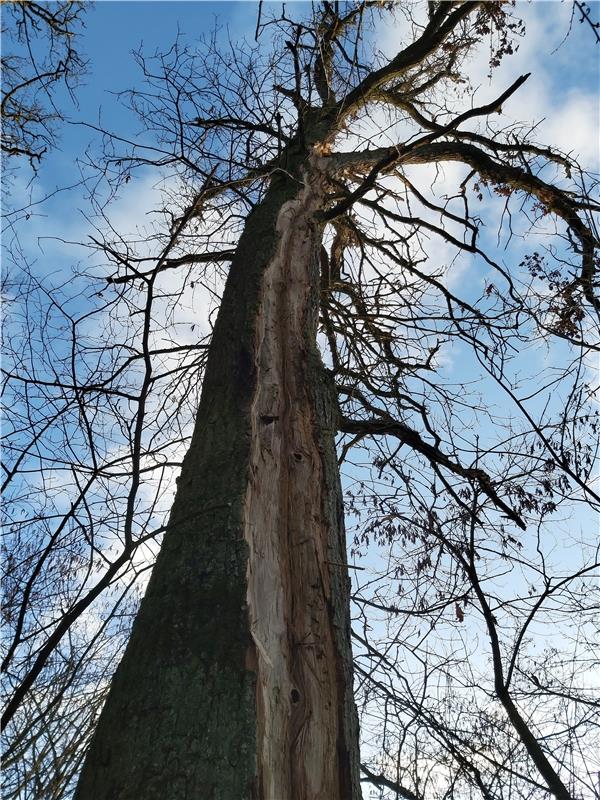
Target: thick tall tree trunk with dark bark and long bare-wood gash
x=237, y=680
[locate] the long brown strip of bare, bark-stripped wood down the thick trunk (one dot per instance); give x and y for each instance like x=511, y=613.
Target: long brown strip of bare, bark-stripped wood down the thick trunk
x=294, y=541
